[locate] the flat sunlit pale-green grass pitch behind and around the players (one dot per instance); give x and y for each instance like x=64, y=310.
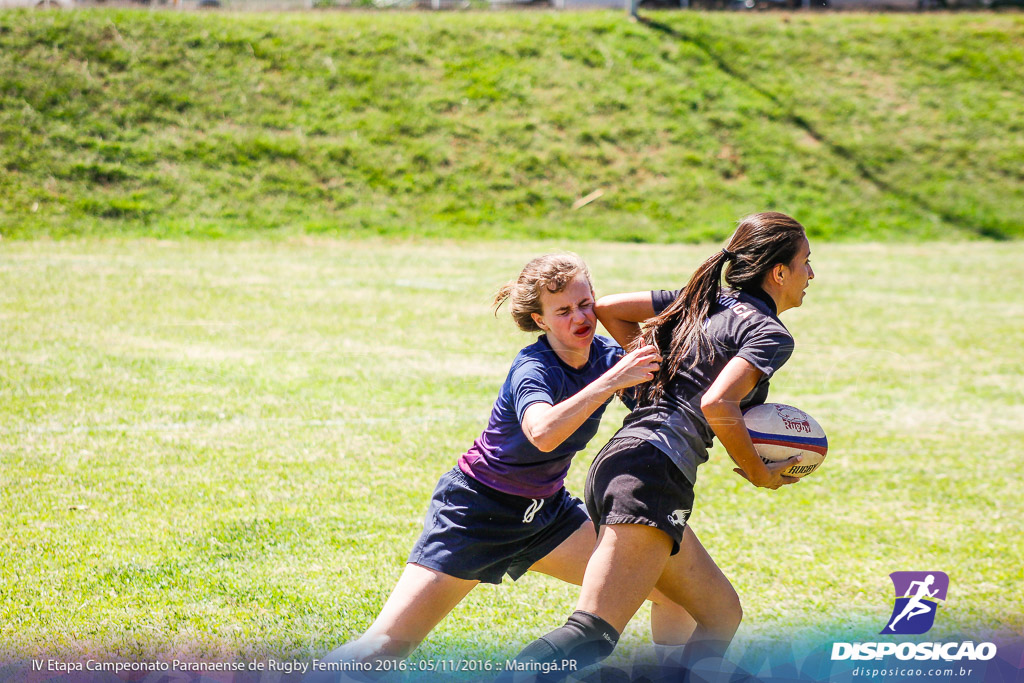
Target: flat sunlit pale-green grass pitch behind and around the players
x=226, y=449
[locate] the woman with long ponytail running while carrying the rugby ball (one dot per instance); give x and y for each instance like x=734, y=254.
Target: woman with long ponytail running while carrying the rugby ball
x=721, y=347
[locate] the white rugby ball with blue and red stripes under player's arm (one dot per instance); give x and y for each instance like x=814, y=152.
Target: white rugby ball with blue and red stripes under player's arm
x=781, y=432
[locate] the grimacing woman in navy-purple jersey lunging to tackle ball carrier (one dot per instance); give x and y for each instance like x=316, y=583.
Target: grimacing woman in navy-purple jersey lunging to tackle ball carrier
x=504, y=508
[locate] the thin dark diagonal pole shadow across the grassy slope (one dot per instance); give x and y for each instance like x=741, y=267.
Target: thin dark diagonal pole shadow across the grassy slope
x=990, y=232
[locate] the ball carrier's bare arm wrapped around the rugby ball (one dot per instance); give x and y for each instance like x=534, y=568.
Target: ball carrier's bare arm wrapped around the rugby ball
x=721, y=406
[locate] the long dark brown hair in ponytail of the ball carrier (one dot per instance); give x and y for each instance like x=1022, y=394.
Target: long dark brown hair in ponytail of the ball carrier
x=761, y=242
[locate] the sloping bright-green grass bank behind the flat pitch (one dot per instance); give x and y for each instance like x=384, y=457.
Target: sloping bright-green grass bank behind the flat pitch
x=491, y=125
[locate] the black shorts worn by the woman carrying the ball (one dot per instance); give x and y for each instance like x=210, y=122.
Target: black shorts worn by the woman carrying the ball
x=632, y=483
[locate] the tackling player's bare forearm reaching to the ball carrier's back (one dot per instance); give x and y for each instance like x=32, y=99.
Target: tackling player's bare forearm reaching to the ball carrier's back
x=547, y=426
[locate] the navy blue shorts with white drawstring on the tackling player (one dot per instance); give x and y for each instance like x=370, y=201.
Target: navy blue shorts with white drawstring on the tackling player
x=477, y=533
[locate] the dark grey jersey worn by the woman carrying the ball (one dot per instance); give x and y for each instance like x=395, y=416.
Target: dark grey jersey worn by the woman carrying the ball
x=742, y=324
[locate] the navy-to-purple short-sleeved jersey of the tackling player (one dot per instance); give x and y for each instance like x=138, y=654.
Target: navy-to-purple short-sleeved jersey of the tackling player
x=502, y=457
